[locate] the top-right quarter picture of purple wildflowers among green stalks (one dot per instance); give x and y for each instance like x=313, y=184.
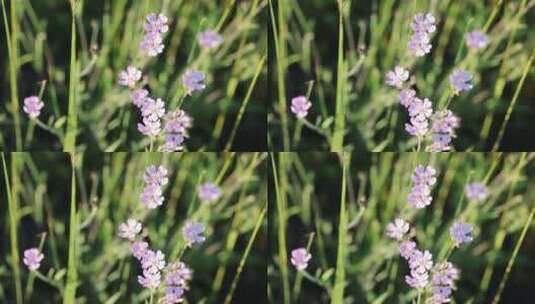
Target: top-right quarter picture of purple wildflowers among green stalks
x=451, y=67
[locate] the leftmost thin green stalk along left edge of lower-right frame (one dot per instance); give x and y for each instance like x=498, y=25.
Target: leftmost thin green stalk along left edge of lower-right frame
x=281, y=228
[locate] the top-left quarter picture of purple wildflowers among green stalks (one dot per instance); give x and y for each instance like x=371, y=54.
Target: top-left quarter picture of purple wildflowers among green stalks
x=197, y=58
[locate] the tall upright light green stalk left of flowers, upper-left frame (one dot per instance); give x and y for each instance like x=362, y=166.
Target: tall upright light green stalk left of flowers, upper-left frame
x=72, y=118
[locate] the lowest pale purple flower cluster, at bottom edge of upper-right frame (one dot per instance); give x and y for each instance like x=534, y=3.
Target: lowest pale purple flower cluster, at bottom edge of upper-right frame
x=444, y=125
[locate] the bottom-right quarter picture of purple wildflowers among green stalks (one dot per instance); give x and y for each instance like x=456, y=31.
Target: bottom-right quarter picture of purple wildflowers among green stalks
x=407, y=230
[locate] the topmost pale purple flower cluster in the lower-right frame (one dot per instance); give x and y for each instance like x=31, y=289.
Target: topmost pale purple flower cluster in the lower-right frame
x=422, y=180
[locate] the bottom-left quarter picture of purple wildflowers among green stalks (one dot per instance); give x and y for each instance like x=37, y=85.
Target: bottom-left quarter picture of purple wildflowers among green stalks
x=181, y=250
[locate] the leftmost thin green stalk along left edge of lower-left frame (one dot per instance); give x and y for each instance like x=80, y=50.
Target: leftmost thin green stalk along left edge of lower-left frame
x=12, y=203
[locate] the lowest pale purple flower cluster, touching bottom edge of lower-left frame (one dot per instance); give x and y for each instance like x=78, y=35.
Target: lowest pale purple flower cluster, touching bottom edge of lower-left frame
x=176, y=280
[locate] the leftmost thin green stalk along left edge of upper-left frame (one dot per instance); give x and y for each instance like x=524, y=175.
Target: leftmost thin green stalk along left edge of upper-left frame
x=12, y=49
